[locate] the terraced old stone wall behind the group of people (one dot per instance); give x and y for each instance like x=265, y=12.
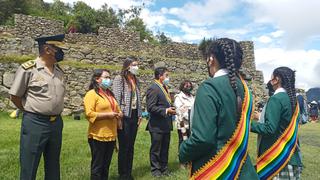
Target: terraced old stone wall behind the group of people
x=108, y=49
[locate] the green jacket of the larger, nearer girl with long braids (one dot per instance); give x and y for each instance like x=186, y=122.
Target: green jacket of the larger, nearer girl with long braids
x=213, y=123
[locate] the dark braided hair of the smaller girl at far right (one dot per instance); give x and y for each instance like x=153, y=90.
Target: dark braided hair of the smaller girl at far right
x=287, y=79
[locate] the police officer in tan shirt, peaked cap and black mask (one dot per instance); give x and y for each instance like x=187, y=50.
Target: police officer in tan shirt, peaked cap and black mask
x=38, y=90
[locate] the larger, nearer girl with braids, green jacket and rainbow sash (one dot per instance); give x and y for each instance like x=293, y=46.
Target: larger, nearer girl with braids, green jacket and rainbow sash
x=217, y=146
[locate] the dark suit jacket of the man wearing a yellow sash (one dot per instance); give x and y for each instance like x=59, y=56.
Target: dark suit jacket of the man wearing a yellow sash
x=157, y=104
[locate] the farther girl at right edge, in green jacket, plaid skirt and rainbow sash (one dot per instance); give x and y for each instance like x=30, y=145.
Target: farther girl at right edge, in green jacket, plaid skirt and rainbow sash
x=280, y=112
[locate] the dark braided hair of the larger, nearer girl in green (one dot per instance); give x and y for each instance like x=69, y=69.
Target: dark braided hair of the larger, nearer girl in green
x=229, y=55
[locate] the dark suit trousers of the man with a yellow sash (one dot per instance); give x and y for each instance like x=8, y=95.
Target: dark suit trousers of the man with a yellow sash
x=159, y=152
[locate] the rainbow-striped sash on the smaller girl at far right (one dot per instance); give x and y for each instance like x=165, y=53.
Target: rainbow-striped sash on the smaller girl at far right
x=271, y=162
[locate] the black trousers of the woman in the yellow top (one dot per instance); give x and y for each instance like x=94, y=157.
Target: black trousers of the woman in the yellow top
x=101, y=153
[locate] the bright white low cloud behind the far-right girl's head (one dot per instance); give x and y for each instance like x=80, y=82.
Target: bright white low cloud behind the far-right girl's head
x=305, y=62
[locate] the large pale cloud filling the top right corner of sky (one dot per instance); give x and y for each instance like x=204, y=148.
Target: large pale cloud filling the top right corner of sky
x=298, y=19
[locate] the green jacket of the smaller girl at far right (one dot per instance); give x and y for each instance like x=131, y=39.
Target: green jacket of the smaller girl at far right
x=277, y=118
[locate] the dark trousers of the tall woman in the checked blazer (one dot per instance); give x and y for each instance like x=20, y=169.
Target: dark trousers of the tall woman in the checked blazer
x=126, y=138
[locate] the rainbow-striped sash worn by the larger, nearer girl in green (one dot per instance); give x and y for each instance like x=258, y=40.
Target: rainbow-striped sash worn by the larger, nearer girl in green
x=229, y=160
